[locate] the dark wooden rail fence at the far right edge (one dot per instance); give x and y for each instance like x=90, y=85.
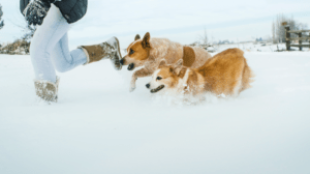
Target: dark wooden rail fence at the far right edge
x=300, y=38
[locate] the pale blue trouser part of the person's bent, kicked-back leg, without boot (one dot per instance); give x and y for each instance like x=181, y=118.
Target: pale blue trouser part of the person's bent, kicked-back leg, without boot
x=65, y=60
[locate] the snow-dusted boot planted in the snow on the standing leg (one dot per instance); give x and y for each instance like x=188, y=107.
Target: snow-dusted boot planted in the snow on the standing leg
x=47, y=91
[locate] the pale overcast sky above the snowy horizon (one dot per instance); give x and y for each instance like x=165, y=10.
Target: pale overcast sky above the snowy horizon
x=179, y=20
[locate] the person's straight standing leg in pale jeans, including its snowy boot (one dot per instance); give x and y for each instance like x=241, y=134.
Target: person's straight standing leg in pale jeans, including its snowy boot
x=44, y=40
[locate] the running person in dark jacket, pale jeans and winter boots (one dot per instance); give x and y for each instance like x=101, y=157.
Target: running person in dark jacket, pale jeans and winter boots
x=49, y=46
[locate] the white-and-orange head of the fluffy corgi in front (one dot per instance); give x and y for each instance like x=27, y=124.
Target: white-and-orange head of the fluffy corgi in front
x=165, y=77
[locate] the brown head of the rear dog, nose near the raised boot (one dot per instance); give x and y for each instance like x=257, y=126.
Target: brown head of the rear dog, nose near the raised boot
x=137, y=52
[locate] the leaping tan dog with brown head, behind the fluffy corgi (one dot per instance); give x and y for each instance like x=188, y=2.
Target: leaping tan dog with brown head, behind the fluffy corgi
x=149, y=51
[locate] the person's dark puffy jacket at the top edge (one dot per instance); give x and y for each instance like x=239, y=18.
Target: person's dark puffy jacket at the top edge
x=72, y=10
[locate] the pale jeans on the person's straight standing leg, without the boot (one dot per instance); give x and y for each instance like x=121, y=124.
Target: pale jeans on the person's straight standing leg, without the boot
x=43, y=42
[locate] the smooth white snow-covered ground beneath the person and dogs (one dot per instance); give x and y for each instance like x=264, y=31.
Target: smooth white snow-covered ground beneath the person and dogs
x=98, y=126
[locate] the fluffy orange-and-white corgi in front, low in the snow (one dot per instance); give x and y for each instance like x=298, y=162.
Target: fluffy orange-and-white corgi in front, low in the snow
x=226, y=73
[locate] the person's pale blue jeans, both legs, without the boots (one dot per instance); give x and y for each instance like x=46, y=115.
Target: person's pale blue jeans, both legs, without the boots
x=49, y=48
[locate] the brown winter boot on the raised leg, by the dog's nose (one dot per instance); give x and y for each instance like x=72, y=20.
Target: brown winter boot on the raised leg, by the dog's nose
x=106, y=50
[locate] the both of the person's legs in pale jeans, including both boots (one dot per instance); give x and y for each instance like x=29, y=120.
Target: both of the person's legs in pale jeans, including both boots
x=51, y=39
